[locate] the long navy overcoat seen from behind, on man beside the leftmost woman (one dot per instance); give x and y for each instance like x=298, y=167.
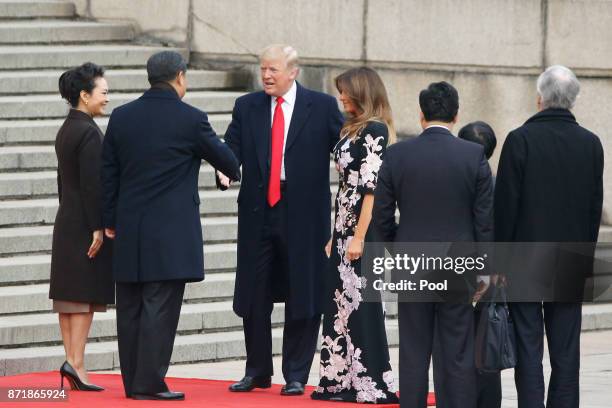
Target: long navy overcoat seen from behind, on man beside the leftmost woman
x=150, y=166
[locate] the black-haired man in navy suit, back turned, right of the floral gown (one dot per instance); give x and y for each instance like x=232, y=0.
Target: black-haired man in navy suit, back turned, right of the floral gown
x=443, y=188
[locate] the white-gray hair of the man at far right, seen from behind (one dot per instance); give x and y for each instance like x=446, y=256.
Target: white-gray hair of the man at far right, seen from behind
x=558, y=87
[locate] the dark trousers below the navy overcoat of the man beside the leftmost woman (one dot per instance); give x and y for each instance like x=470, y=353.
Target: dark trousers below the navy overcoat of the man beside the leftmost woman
x=147, y=318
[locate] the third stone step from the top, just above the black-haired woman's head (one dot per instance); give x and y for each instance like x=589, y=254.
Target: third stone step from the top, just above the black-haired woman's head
x=67, y=56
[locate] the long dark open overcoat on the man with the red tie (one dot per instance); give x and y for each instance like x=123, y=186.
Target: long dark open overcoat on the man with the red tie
x=313, y=132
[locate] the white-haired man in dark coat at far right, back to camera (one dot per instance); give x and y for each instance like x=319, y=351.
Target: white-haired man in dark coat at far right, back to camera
x=549, y=189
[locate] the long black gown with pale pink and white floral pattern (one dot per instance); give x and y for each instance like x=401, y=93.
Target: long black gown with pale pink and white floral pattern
x=354, y=353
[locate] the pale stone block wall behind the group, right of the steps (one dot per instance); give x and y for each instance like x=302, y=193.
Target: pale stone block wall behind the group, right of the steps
x=491, y=50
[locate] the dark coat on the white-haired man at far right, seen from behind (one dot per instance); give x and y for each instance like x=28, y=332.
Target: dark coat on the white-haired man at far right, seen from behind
x=550, y=190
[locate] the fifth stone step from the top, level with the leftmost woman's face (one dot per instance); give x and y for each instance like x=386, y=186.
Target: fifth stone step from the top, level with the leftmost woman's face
x=52, y=106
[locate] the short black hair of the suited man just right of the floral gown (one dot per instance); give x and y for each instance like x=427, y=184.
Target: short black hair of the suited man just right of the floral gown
x=439, y=102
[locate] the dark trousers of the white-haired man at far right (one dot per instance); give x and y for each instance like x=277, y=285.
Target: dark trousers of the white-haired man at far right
x=563, y=323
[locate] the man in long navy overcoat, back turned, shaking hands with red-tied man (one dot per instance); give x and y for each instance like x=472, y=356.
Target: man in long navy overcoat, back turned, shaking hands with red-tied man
x=151, y=161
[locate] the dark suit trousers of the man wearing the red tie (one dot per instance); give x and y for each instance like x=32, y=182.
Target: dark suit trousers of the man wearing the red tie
x=300, y=335
